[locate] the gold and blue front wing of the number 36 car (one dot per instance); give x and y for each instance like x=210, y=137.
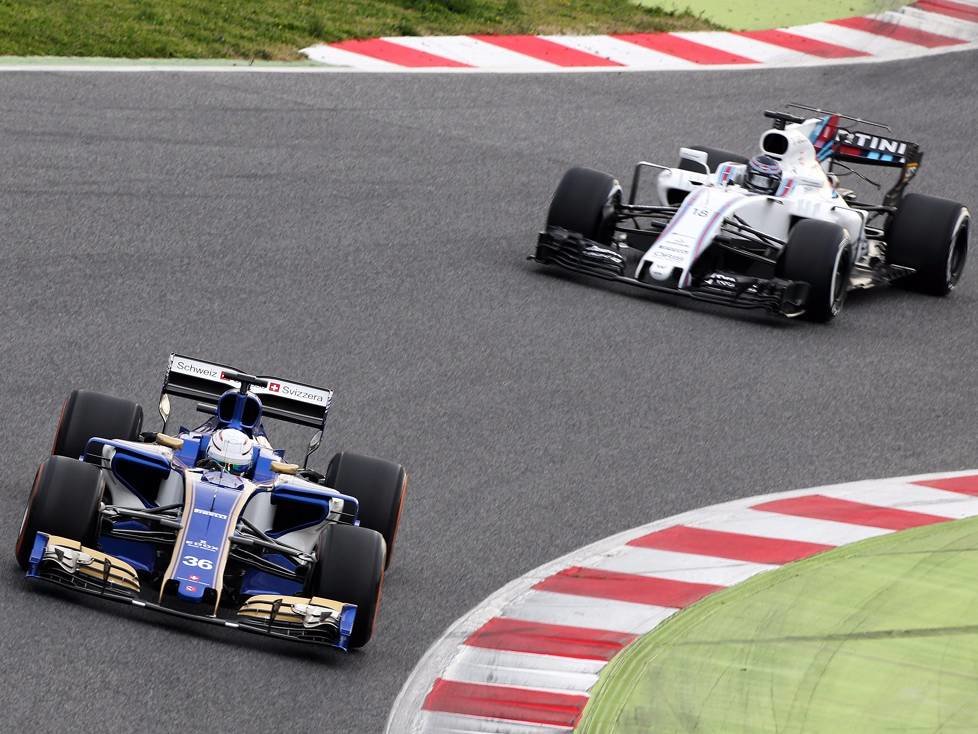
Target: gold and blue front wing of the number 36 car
x=313, y=620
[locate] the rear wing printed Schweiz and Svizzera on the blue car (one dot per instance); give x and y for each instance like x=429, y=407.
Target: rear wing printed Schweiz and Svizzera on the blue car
x=285, y=400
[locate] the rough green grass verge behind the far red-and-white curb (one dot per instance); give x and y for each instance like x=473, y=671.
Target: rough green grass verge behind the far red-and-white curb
x=276, y=29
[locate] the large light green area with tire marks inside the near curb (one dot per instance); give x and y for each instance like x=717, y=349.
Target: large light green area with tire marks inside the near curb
x=880, y=636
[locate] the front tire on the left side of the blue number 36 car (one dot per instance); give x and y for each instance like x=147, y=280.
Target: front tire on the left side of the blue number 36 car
x=64, y=501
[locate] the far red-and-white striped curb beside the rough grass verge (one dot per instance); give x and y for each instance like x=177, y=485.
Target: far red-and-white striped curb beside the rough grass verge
x=926, y=27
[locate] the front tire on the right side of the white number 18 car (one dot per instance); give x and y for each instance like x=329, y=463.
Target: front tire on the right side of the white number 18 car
x=818, y=253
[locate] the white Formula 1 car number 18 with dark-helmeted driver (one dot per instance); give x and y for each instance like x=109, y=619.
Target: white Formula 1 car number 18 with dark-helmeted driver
x=776, y=232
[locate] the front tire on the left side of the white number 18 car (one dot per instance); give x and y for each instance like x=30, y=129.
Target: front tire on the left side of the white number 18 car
x=586, y=202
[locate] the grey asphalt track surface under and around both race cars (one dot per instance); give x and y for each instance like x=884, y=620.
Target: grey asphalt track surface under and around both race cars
x=369, y=233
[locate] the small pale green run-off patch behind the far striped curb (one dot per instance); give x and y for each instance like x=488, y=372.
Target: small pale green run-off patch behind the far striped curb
x=768, y=14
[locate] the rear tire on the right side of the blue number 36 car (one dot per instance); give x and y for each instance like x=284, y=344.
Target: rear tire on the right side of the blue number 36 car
x=379, y=487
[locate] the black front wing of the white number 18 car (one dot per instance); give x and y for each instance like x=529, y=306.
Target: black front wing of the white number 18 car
x=572, y=251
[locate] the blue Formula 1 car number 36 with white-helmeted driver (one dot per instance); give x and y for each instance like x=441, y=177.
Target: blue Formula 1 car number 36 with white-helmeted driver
x=213, y=523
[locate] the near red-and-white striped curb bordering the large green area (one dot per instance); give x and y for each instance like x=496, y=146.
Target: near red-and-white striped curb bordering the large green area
x=525, y=659
